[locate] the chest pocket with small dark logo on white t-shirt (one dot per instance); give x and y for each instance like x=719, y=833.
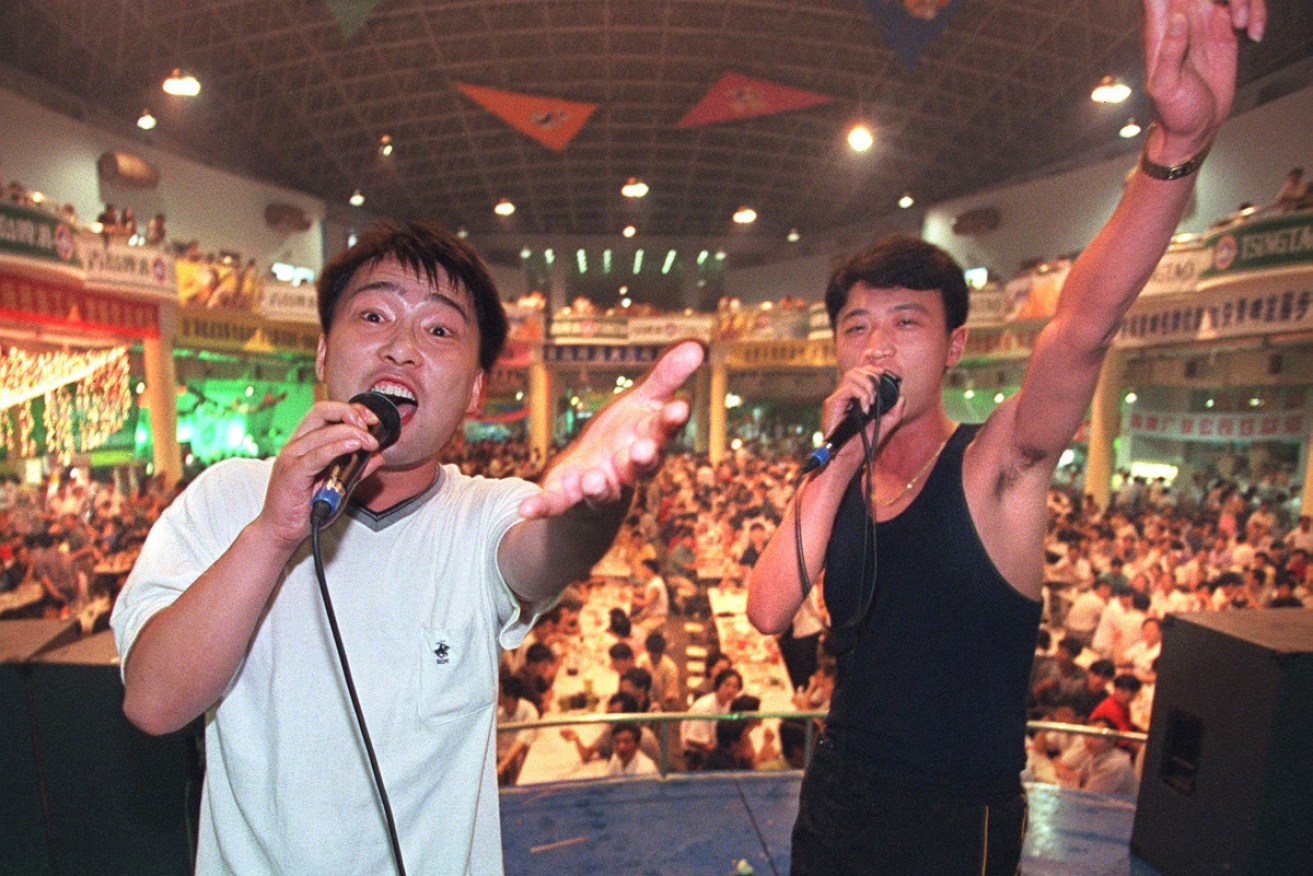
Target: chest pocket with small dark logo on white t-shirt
x=458, y=677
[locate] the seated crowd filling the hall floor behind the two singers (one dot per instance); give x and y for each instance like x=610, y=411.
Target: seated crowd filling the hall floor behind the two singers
x=1110, y=580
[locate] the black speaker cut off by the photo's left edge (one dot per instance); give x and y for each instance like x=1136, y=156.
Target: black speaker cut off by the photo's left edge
x=23, y=836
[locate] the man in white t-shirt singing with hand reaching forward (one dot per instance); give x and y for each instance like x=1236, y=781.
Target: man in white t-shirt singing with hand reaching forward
x=433, y=572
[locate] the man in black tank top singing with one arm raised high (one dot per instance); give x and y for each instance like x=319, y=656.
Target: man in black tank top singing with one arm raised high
x=933, y=554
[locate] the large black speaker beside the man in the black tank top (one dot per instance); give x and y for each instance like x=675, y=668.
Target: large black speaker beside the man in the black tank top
x=1228, y=774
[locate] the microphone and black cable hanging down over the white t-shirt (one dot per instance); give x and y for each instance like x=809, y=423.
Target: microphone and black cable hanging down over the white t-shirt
x=325, y=508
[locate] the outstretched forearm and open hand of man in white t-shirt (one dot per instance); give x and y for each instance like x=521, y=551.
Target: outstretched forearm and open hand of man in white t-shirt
x=586, y=493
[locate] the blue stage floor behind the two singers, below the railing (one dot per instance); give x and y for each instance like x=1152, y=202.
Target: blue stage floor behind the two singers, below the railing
x=707, y=824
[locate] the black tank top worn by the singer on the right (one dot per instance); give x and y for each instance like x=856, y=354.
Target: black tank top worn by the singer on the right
x=936, y=688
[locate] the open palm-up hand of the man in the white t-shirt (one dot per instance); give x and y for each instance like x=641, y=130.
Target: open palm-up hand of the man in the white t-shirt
x=623, y=443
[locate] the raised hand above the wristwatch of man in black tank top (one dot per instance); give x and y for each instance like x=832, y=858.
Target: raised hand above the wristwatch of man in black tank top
x=1190, y=62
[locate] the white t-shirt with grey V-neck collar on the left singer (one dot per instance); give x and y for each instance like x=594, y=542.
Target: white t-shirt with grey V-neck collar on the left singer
x=423, y=610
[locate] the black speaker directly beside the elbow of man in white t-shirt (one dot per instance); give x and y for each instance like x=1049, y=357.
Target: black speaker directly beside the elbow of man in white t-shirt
x=118, y=800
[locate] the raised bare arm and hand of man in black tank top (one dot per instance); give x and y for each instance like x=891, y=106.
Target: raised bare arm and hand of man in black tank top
x=1190, y=65
